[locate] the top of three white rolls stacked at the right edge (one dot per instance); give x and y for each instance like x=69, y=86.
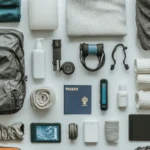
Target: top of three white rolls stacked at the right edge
x=142, y=66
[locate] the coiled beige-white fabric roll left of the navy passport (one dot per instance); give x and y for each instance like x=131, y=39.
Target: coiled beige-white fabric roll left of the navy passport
x=42, y=98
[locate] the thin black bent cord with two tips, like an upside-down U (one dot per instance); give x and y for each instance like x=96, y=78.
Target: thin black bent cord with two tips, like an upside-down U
x=113, y=53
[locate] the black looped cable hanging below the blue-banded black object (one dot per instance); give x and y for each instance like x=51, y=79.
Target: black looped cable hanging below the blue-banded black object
x=101, y=60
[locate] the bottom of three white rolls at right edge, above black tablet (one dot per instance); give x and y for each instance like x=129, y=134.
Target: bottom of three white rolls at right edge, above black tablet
x=143, y=100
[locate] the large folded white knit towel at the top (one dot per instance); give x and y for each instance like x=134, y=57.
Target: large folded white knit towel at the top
x=96, y=18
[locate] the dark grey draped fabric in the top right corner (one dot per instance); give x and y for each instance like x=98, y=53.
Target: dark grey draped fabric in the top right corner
x=143, y=23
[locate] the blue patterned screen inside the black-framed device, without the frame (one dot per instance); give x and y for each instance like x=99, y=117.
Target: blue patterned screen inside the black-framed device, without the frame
x=47, y=133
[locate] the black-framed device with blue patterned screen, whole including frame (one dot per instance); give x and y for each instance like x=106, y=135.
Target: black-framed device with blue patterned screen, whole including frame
x=46, y=132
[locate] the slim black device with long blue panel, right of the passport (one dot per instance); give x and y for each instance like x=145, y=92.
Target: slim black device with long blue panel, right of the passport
x=104, y=94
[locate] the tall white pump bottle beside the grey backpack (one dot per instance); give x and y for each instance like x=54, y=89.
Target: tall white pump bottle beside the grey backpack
x=39, y=61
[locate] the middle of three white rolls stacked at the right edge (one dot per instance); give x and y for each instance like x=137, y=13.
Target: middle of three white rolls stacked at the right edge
x=143, y=79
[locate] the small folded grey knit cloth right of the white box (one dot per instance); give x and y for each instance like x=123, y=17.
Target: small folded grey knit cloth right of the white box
x=112, y=131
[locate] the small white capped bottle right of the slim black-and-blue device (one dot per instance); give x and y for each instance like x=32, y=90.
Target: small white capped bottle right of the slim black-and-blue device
x=122, y=96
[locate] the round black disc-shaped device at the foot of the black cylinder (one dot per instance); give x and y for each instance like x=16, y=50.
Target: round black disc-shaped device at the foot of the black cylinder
x=68, y=68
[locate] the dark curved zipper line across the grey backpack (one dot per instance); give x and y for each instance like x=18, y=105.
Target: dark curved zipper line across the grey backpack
x=16, y=56
